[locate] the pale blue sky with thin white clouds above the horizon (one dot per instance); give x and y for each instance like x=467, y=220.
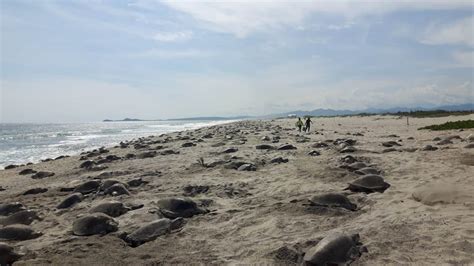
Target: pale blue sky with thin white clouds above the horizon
x=80, y=61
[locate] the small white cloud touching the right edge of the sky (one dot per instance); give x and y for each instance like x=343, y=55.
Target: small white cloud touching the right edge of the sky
x=458, y=32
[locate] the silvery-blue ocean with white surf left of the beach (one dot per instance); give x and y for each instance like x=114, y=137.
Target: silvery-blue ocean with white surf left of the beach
x=23, y=143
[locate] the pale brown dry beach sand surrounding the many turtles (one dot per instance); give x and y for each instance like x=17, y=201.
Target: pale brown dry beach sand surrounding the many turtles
x=425, y=217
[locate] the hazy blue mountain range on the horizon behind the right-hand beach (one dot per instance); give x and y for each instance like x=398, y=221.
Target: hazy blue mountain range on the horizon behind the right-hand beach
x=332, y=112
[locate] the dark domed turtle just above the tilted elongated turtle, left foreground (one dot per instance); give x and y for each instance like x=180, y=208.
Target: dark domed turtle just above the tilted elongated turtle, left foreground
x=179, y=207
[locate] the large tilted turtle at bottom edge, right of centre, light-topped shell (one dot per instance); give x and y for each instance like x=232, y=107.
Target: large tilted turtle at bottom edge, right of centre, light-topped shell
x=336, y=248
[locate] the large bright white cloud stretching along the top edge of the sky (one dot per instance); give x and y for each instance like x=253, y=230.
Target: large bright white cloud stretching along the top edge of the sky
x=245, y=17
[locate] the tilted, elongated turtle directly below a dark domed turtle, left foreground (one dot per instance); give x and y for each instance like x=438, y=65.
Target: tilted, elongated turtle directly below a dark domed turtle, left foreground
x=153, y=230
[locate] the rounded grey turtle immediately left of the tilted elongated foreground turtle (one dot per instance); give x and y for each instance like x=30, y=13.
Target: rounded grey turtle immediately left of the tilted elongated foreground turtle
x=94, y=224
